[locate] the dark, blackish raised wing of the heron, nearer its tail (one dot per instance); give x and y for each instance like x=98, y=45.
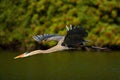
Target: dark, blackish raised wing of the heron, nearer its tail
x=75, y=36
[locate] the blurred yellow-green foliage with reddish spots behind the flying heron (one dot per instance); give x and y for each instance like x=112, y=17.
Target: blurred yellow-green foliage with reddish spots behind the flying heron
x=21, y=19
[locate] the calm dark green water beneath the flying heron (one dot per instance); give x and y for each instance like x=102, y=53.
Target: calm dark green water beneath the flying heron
x=66, y=65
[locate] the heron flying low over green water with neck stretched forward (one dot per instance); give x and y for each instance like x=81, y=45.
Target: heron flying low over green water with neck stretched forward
x=74, y=38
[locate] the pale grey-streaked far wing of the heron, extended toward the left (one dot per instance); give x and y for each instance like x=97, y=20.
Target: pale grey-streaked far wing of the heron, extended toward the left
x=45, y=37
